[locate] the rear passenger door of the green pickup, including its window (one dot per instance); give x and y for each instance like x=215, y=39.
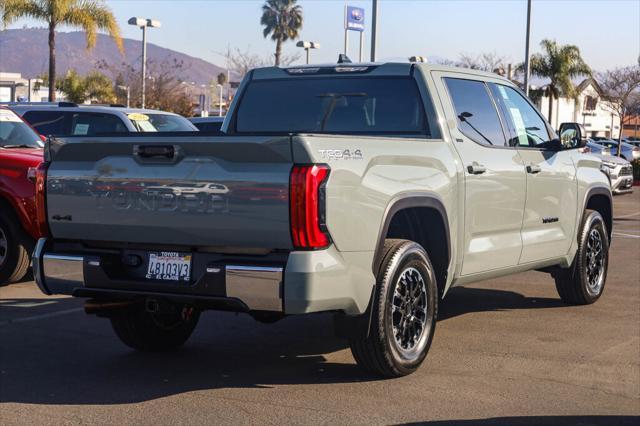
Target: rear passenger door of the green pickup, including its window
x=494, y=174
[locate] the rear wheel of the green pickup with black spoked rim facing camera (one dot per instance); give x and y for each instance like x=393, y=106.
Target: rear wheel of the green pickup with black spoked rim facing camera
x=380, y=350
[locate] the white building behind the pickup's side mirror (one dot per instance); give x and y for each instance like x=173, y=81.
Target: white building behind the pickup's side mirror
x=588, y=108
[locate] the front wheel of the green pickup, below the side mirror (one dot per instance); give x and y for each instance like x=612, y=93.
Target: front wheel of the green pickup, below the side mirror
x=583, y=283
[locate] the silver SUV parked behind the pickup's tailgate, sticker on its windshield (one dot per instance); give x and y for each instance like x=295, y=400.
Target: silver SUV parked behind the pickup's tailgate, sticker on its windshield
x=68, y=119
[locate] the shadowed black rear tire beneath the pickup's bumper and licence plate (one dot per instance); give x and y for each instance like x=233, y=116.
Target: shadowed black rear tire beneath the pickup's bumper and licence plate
x=155, y=332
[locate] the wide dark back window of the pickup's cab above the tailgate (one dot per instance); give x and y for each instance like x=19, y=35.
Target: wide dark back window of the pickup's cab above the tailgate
x=332, y=105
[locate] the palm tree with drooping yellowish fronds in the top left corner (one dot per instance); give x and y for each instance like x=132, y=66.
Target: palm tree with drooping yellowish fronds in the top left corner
x=90, y=15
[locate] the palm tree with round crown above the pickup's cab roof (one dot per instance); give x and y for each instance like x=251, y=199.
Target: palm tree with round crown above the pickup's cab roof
x=282, y=19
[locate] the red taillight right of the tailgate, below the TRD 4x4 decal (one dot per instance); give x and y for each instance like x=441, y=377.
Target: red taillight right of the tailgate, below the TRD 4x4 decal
x=307, y=206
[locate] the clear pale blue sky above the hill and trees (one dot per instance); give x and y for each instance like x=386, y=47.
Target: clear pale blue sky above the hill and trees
x=607, y=31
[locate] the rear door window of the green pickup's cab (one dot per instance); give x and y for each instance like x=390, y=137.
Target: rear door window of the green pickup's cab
x=476, y=113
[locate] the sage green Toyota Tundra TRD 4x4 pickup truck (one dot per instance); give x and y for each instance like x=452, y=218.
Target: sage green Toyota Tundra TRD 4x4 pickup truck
x=367, y=190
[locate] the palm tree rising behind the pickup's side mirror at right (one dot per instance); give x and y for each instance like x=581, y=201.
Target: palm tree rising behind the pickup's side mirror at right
x=560, y=64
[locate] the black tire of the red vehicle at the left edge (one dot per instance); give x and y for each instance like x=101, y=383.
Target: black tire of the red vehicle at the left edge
x=14, y=252
